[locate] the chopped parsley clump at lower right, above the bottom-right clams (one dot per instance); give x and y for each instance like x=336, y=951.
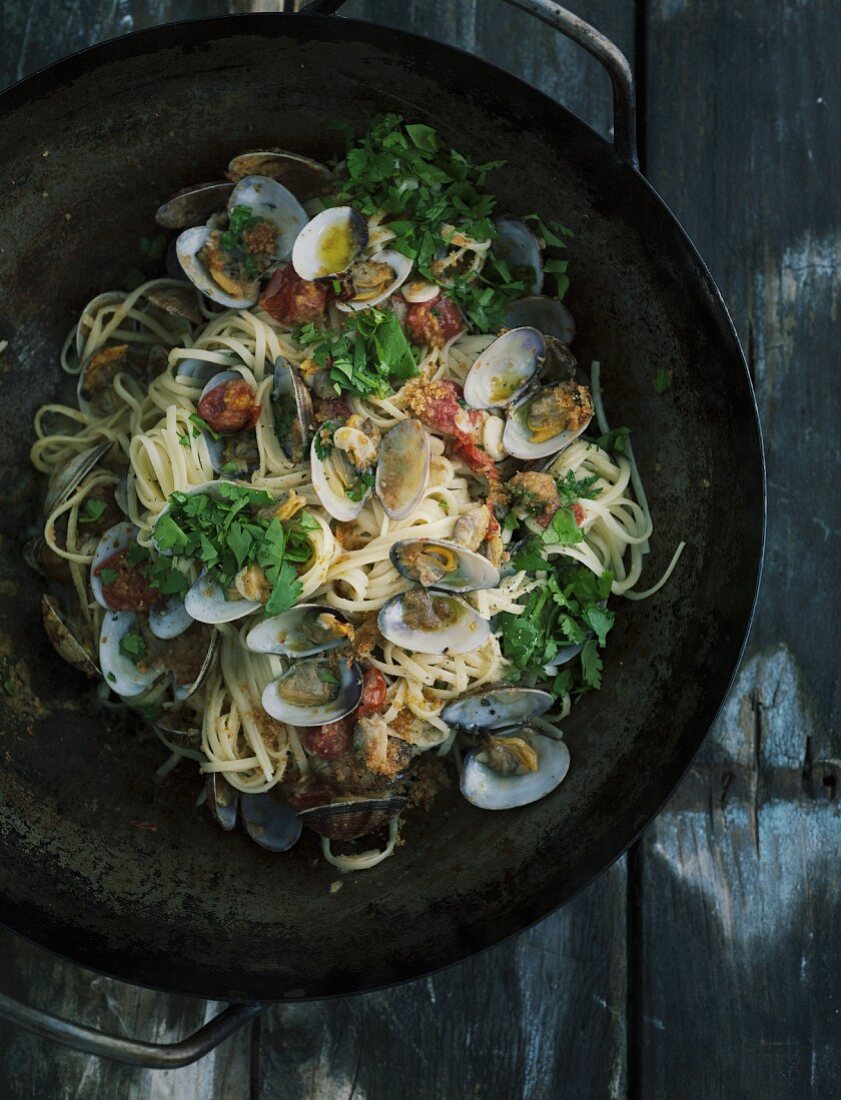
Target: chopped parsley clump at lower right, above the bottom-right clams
x=565, y=611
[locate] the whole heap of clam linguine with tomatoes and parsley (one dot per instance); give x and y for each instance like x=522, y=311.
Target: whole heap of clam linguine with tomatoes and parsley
x=336, y=510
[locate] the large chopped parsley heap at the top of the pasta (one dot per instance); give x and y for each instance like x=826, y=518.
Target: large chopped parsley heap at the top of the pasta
x=429, y=193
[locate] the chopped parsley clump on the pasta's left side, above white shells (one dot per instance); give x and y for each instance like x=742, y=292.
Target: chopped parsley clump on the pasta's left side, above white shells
x=234, y=532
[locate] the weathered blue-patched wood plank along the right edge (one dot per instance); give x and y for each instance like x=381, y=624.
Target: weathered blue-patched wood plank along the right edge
x=740, y=897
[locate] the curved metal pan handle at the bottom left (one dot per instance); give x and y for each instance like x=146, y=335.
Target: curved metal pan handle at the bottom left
x=130, y=1051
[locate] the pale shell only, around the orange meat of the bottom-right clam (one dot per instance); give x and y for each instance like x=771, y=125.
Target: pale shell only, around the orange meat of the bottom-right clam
x=489, y=790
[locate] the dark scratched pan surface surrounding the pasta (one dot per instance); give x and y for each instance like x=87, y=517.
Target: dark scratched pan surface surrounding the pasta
x=124, y=874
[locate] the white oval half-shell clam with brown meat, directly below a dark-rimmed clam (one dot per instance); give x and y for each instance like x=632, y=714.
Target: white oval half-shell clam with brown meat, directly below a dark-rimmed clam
x=433, y=623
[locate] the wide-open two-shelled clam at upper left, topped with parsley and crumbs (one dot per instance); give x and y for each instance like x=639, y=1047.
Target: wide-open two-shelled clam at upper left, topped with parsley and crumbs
x=230, y=283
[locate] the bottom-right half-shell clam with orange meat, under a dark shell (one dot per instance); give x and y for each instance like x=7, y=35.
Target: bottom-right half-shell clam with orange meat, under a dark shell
x=514, y=768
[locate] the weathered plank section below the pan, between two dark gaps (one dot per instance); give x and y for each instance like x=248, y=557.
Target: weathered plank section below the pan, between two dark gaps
x=538, y=1019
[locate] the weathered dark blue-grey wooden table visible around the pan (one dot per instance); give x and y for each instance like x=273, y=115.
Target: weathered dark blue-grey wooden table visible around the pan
x=702, y=965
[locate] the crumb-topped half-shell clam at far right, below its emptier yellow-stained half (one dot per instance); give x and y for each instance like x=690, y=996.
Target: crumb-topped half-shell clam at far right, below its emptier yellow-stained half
x=547, y=421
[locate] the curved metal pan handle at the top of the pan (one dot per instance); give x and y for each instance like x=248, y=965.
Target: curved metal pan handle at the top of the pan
x=590, y=39
